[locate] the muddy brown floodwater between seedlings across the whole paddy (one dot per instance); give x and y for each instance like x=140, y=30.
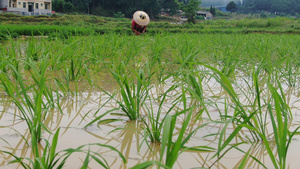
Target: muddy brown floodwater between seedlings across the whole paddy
x=211, y=122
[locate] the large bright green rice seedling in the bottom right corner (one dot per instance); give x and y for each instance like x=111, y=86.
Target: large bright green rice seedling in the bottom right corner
x=280, y=121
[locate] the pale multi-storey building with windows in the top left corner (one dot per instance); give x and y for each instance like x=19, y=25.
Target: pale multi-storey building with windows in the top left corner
x=26, y=7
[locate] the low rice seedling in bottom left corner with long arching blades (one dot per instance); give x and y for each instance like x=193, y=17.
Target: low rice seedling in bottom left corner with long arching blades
x=49, y=158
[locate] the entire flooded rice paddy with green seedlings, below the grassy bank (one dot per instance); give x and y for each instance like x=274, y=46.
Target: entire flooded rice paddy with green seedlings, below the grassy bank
x=163, y=99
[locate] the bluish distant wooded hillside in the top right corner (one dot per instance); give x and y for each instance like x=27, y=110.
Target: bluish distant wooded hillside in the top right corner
x=274, y=6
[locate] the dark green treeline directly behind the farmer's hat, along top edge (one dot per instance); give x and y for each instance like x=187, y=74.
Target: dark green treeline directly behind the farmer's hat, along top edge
x=113, y=8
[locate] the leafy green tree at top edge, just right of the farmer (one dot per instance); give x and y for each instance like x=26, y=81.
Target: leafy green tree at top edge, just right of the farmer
x=190, y=9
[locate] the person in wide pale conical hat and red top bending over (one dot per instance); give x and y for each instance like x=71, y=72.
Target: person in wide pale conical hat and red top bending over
x=139, y=22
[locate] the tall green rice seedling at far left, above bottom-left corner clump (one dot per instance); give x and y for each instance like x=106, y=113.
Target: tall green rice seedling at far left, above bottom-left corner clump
x=31, y=105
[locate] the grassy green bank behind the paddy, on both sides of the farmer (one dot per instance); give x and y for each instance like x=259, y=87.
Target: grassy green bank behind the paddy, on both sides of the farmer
x=15, y=25
